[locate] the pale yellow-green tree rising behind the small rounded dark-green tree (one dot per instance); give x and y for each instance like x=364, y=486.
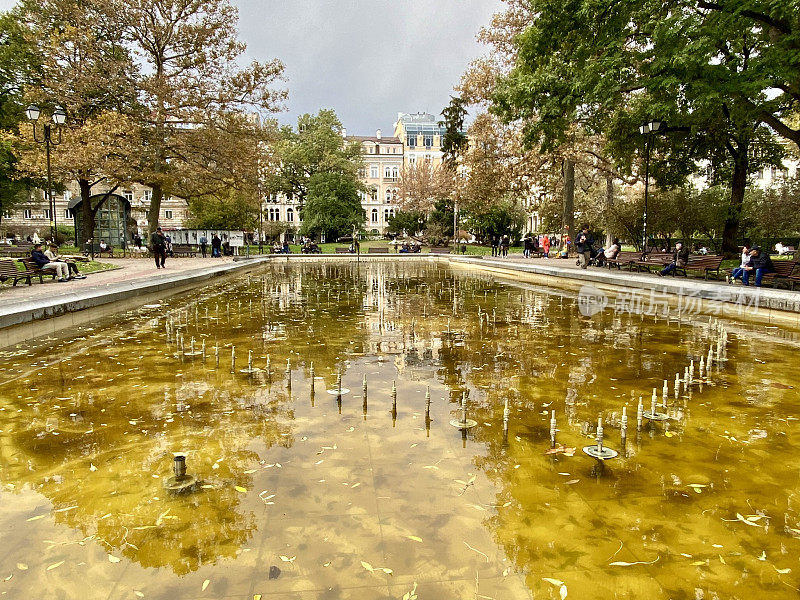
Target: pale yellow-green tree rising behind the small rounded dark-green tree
x=316, y=147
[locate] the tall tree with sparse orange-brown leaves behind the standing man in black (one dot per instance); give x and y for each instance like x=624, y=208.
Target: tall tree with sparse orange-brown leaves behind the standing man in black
x=193, y=94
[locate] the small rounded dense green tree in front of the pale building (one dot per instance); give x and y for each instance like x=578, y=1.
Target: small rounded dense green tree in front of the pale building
x=333, y=206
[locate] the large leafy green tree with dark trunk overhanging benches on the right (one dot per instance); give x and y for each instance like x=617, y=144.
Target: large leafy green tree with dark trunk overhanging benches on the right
x=608, y=68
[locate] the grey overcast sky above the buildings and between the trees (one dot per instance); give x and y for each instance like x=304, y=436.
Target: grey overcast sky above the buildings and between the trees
x=366, y=59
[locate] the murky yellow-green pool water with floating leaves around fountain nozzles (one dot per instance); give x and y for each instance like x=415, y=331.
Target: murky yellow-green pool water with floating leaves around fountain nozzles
x=348, y=501
